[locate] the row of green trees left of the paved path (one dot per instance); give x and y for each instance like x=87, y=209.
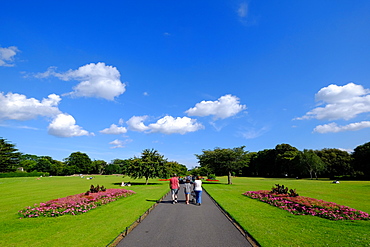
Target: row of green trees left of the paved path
x=150, y=164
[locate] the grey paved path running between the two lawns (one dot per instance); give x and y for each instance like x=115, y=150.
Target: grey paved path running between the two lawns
x=185, y=225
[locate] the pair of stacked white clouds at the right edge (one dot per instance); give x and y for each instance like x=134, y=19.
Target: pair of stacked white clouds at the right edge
x=340, y=102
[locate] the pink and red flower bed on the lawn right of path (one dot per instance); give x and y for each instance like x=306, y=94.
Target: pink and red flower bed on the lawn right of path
x=301, y=205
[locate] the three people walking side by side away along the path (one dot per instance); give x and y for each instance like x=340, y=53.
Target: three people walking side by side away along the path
x=189, y=187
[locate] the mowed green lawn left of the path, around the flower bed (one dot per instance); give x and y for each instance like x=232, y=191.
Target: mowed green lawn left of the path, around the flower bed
x=97, y=227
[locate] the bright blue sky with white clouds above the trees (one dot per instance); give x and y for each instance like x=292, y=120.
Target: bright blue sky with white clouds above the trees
x=111, y=78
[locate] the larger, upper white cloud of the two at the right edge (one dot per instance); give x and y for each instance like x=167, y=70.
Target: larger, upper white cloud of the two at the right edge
x=340, y=102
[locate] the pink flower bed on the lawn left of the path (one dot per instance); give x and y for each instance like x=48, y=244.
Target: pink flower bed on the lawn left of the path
x=73, y=205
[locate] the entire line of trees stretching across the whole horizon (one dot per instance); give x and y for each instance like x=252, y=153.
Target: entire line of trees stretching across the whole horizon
x=282, y=161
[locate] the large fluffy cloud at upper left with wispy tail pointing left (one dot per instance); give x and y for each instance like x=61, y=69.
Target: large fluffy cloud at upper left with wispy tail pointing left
x=96, y=80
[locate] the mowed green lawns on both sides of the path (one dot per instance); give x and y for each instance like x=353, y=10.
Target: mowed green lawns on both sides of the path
x=270, y=226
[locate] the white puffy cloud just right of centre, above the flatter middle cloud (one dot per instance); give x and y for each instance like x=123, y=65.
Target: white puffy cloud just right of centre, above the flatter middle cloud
x=226, y=106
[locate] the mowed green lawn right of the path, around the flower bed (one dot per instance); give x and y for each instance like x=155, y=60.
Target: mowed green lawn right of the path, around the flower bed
x=272, y=226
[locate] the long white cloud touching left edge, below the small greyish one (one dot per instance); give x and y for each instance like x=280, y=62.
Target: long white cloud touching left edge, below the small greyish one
x=19, y=107
